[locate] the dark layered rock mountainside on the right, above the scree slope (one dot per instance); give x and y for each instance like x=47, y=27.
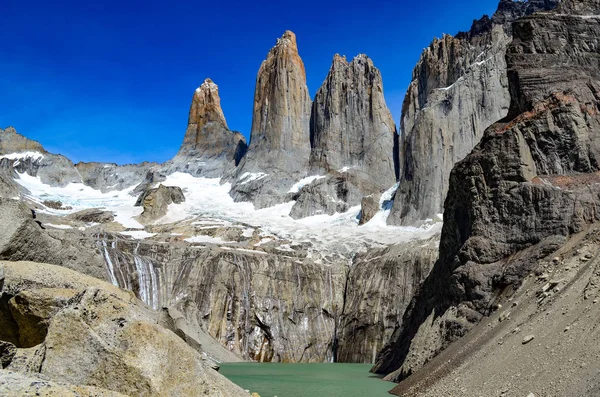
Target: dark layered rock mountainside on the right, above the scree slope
x=531, y=181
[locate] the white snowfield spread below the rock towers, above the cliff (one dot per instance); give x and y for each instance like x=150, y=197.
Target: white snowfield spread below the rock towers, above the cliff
x=208, y=203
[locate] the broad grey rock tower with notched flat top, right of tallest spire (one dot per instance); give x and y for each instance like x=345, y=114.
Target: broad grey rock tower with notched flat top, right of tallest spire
x=351, y=126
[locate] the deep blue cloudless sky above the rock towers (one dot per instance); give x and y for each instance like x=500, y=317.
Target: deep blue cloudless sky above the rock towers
x=112, y=80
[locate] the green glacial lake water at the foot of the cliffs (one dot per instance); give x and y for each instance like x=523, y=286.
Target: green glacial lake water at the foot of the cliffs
x=307, y=380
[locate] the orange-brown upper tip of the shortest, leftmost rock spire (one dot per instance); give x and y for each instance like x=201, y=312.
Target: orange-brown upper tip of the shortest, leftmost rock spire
x=206, y=105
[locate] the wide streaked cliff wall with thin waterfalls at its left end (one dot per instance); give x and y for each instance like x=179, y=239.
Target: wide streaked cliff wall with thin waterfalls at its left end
x=262, y=306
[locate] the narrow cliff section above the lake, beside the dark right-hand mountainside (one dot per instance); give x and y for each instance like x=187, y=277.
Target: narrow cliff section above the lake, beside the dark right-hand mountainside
x=380, y=285
